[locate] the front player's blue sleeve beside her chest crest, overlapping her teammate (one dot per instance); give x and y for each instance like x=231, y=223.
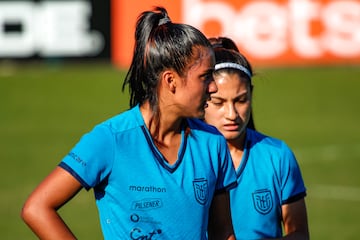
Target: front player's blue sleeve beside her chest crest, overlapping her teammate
x=227, y=174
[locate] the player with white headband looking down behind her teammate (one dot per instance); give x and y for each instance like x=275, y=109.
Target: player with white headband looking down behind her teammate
x=270, y=191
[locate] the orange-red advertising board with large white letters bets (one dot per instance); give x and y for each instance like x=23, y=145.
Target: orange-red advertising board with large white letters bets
x=268, y=32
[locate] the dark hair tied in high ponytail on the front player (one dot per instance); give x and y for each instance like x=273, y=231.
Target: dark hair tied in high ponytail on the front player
x=159, y=44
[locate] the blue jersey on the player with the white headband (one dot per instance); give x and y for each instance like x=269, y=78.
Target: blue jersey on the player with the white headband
x=268, y=177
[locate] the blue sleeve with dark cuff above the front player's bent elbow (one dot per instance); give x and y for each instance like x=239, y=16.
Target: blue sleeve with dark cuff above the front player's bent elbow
x=91, y=159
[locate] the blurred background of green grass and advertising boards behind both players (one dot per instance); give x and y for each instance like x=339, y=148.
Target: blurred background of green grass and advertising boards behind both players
x=62, y=65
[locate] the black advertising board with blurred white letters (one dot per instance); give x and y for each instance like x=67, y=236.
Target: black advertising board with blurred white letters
x=54, y=29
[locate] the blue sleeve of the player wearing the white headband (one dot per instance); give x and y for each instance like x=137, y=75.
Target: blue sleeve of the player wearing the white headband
x=293, y=187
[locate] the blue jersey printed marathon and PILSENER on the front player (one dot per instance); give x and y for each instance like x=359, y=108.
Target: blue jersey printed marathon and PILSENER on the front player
x=138, y=194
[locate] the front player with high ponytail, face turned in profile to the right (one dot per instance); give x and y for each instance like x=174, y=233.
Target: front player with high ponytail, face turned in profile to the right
x=157, y=172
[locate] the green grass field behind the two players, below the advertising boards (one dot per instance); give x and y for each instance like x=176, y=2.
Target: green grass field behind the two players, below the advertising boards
x=45, y=108
